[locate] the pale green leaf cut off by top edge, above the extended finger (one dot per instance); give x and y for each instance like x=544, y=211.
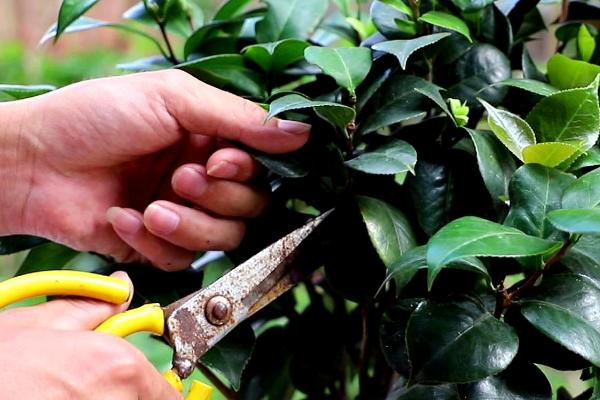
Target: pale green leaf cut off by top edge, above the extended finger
x=290, y=19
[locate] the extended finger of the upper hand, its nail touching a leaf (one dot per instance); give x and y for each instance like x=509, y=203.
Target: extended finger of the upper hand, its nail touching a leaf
x=203, y=109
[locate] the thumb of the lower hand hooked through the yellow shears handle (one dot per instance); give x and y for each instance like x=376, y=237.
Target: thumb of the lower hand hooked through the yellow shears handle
x=69, y=313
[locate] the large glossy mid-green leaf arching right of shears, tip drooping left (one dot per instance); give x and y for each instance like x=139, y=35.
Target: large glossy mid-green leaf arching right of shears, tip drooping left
x=476, y=237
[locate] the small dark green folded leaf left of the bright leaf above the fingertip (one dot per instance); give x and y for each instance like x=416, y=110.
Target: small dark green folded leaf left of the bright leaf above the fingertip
x=276, y=56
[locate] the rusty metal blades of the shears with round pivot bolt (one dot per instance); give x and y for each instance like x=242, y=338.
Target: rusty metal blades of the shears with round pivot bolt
x=191, y=325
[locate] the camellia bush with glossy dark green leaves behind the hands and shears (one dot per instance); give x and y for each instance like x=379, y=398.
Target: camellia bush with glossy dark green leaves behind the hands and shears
x=467, y=180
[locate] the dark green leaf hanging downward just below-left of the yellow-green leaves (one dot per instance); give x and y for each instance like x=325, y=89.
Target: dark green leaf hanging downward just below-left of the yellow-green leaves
x=495, y=164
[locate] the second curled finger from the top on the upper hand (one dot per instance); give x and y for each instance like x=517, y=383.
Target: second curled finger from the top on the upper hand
x=222, y=197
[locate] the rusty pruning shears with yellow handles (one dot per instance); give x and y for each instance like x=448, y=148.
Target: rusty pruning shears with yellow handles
x=194, y=324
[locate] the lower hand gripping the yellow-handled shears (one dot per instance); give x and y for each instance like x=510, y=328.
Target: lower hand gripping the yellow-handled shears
x=48, y=352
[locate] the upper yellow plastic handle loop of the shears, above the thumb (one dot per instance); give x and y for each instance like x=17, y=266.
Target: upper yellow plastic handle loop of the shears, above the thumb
x=64, y=283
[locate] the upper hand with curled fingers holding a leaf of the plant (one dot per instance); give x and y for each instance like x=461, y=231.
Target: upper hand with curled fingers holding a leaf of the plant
x=138, y=167
